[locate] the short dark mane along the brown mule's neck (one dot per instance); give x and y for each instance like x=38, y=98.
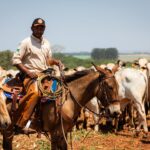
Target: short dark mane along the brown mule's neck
x=77, y=75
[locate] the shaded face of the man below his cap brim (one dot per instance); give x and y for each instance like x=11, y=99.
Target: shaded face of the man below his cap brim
x=38, y=31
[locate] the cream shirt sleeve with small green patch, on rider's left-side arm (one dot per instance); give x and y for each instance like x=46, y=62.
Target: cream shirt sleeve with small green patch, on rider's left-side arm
x=19, y=54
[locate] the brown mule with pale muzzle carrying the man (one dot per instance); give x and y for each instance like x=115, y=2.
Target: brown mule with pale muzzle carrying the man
x=58, y=121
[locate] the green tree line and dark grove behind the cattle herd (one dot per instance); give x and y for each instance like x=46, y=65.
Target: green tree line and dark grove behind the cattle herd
x=98, y=55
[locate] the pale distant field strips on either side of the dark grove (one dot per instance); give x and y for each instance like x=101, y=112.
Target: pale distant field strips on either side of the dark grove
x=123, y=57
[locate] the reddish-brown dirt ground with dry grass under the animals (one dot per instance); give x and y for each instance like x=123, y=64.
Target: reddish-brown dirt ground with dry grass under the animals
x=86, y=140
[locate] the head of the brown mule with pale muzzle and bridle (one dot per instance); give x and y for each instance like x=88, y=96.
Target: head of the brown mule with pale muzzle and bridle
x=108, y=91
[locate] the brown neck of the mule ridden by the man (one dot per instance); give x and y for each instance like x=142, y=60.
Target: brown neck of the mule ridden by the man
x=84, y=89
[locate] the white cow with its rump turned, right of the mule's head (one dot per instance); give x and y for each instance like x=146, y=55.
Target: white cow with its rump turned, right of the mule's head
x=133, y=85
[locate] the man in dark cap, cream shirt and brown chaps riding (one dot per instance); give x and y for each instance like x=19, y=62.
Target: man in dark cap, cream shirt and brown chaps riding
x=32, y=56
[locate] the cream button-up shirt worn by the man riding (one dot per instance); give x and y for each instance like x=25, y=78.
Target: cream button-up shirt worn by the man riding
x=33, y=53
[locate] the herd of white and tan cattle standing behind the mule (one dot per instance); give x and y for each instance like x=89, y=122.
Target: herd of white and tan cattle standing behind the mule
x=133, y=90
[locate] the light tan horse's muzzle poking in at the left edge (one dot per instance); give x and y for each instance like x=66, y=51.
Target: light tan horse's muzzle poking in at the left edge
x=5, y=120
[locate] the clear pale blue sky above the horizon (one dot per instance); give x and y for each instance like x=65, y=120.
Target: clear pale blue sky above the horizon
x=79, y=25
